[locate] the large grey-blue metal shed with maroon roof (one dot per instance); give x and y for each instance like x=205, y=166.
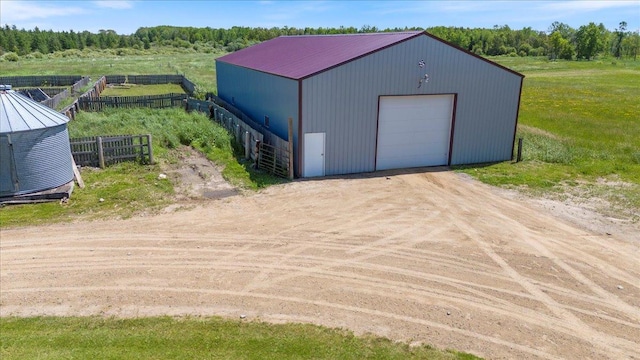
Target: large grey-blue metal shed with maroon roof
x=367, y=102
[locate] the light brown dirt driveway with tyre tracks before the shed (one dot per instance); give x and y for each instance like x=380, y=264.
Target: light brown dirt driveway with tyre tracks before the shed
x=428, y=257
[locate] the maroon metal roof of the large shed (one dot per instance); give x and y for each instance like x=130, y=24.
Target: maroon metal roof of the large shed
x=300, y=56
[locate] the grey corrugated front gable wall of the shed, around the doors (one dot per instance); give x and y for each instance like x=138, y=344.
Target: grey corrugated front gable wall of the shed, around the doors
x=343, y=102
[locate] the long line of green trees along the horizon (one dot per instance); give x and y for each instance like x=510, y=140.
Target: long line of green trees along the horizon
x=560, y=41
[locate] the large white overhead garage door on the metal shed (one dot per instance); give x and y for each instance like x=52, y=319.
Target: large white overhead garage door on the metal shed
x=414, y=131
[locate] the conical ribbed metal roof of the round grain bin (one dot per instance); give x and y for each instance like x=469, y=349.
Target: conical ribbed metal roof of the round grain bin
x=19, y=113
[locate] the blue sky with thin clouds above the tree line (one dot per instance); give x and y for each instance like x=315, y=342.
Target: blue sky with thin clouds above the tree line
x=126, y=16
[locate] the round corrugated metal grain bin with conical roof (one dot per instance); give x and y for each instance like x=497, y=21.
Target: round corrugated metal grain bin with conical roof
x=35, y=155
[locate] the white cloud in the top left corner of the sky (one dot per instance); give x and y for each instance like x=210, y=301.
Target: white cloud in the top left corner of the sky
x=18, y=11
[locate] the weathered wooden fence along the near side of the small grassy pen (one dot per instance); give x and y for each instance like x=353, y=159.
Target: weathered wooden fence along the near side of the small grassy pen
x=126, y=102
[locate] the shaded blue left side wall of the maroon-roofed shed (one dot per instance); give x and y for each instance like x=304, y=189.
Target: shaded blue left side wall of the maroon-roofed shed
x=258, y=95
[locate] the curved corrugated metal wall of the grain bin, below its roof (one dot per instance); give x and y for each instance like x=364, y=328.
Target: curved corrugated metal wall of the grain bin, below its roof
x=42, y=159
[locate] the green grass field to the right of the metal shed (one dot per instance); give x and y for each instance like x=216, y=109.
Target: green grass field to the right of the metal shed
x=580, y=121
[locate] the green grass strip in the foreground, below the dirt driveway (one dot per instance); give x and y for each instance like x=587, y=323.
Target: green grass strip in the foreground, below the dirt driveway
x=194, y=338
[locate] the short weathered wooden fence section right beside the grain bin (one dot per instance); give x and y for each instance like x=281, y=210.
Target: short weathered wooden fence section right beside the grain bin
x=106, y=150
